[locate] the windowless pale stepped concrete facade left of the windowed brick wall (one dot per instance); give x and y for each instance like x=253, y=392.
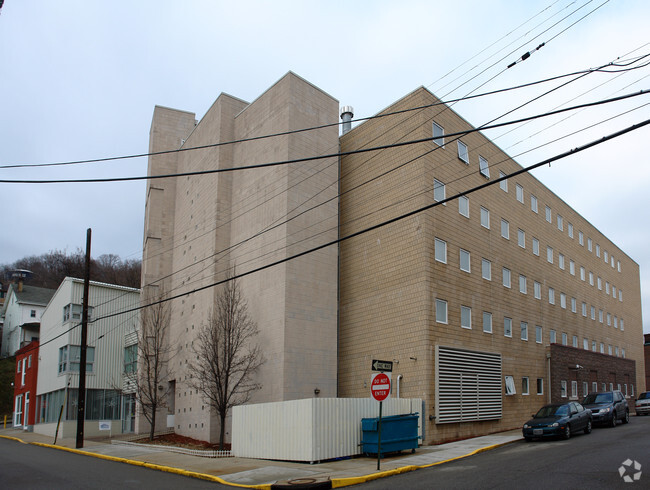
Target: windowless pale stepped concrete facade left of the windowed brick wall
x=200, y=226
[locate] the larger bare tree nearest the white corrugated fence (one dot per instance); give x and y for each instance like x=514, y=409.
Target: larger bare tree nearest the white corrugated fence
x=227, y=356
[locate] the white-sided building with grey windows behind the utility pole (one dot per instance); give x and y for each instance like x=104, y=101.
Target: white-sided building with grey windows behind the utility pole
x=58, y=370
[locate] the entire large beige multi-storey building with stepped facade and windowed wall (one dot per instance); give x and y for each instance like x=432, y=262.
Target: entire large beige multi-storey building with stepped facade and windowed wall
x=466, y=297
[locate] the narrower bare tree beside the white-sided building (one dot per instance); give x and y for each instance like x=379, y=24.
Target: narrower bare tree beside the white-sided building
x=151, y=383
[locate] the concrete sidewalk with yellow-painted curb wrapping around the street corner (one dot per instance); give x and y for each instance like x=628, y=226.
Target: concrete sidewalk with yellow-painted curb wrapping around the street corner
x=257, y=473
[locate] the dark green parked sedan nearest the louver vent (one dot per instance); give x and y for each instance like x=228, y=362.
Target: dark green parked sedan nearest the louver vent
x=558, y=419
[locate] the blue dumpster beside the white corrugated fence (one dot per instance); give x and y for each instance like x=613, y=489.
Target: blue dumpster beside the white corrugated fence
x=398, y=432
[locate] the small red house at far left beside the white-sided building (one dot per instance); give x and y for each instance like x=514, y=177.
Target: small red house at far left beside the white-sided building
x=25, y=385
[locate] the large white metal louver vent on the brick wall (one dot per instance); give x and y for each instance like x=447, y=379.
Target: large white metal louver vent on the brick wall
x=468, y=385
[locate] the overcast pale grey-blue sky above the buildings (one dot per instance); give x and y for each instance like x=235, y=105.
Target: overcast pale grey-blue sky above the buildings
x=79, y=80
